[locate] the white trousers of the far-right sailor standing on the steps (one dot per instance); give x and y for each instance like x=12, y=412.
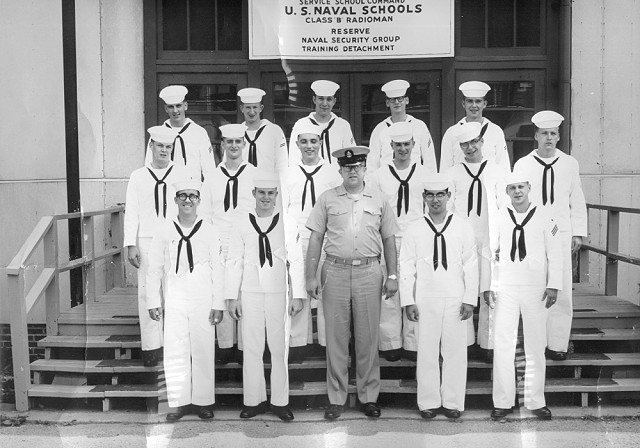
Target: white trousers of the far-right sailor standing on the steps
x=560, y=315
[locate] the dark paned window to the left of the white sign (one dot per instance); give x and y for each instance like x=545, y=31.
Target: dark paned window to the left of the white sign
x=201, y=25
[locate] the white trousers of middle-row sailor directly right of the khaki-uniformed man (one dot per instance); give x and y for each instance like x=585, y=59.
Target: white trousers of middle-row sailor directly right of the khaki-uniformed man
x=396, y=331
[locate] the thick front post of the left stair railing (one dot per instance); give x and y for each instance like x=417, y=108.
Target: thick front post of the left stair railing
x=19, y=339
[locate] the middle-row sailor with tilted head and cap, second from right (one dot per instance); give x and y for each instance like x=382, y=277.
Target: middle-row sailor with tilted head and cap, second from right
x=477, y=193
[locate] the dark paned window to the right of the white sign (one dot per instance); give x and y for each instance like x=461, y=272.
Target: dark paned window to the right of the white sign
x=491, y=24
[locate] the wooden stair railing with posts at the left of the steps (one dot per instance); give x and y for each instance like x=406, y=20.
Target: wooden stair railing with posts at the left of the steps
x=46, y=284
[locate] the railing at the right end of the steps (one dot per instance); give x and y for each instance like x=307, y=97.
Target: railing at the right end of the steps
x=611, y=252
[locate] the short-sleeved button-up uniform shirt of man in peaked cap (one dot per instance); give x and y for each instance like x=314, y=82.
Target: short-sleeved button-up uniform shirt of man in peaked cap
x=353, y=227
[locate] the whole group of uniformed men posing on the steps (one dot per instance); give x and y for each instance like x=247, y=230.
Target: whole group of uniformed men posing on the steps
x=240, y=253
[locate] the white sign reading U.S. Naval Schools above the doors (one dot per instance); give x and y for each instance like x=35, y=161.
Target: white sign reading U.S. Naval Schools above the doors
x=350, y=29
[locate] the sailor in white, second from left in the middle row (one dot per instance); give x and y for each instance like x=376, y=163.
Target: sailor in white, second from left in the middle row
x=227, y=194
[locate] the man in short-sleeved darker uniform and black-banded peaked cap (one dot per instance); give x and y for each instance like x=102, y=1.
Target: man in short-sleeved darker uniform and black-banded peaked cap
x=358, y=223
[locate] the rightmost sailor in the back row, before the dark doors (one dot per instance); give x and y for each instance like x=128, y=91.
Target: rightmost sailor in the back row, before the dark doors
x=494, y=147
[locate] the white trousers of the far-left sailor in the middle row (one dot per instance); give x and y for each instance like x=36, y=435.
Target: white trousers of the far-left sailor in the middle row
x=150, y=330
